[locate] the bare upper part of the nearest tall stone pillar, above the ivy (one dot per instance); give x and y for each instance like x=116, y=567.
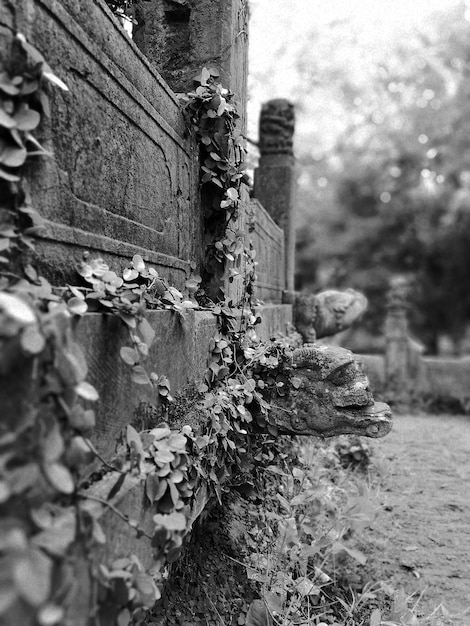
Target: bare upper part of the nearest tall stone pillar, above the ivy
x=180, y=37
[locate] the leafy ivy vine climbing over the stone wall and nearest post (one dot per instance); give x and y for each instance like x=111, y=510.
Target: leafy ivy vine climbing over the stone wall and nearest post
x=50, y=515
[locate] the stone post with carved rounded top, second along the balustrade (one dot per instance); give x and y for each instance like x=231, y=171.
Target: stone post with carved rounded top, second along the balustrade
x=275, y=176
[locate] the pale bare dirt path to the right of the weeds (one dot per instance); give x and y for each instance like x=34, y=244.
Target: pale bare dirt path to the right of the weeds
x=422, y=533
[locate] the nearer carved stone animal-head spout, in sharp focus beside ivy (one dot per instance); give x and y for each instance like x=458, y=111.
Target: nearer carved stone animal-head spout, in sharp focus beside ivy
x=328, y=394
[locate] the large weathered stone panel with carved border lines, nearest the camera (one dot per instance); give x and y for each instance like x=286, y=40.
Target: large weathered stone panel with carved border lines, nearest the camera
x=124, y=174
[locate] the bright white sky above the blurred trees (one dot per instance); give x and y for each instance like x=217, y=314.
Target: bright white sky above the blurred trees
x=277, y=26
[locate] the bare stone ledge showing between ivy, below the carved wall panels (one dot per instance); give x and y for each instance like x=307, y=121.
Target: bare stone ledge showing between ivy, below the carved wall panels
x=180, y=351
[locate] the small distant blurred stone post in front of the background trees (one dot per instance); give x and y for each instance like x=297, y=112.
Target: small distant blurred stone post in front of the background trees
x=397, y=368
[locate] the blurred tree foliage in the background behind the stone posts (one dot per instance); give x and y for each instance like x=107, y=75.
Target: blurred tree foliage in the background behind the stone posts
x=383, y=147
